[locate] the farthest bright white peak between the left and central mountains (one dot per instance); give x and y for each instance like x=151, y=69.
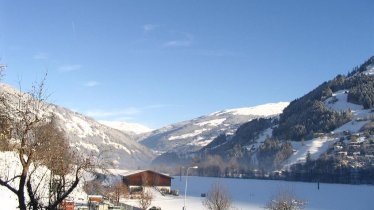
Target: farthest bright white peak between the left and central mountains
x=135, y=128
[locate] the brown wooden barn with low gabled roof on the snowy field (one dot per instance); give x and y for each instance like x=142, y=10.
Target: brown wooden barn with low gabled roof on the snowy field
x=139, y=178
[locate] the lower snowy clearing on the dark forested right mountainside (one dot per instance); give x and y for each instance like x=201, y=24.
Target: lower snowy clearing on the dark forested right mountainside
x=316, y=147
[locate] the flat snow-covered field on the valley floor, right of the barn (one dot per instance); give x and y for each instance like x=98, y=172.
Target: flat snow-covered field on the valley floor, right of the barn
x=254, y=194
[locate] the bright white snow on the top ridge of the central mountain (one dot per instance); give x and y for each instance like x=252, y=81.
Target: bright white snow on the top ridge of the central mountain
x=261, y=110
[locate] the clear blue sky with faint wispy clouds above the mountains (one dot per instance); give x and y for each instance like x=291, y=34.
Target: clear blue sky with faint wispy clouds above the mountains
x=159, y=62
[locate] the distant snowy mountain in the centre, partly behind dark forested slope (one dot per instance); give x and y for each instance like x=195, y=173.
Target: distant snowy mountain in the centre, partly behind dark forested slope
x=194, y=134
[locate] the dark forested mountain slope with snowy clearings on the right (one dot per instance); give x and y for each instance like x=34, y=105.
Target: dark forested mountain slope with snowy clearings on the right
x=326, y=121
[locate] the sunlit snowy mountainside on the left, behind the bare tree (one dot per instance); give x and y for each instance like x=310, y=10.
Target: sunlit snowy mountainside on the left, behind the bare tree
x=90, y=136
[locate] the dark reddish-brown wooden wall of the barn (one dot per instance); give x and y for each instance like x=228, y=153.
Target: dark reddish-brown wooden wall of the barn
x=147, y=178
